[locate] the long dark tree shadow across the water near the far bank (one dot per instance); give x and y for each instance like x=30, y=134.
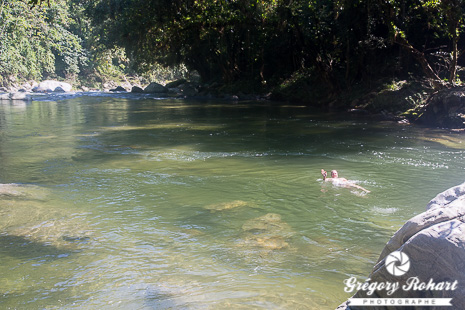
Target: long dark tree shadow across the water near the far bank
x=252, y=127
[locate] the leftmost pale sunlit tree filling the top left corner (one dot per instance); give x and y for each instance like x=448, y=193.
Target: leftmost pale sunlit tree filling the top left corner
x=36, y=42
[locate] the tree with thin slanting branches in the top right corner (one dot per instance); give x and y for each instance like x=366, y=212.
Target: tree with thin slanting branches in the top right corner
x=427, y=30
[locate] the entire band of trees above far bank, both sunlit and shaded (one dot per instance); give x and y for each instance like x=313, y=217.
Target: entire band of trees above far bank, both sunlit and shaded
x=258, y=44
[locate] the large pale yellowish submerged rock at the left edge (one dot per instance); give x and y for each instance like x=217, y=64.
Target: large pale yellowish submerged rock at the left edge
x=26, y=217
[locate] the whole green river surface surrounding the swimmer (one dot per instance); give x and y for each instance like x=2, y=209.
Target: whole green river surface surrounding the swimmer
x=163, y=204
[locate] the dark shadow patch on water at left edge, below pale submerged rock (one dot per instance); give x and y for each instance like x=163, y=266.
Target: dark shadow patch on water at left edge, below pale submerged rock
x=24, y=248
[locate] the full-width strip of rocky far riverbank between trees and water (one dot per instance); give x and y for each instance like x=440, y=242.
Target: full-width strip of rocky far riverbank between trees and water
x=402, y=101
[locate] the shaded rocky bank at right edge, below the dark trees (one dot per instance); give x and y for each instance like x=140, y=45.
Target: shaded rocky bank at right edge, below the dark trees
x=414, y=101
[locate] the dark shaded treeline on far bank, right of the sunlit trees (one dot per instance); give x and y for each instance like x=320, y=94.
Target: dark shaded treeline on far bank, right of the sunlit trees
x=338, y=43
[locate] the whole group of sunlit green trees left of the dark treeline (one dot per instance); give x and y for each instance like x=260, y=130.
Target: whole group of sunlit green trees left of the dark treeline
x=55, y=40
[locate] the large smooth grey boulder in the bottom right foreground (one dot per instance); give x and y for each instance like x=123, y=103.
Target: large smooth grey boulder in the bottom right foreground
x=434, y=242
